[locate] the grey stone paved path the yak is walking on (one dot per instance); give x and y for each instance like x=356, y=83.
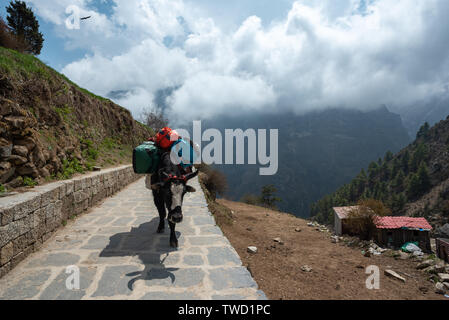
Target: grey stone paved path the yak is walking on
x=120, y=256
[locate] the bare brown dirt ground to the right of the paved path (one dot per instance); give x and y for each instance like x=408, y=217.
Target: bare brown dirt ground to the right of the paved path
x=338, y=271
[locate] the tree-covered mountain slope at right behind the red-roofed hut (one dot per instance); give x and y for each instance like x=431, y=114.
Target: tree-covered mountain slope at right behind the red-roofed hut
x=414, y=182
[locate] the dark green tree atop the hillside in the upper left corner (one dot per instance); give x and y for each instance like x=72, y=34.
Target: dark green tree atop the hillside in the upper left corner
x=24, y=26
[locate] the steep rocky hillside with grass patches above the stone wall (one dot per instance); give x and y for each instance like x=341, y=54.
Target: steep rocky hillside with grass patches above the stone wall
x=50, y=128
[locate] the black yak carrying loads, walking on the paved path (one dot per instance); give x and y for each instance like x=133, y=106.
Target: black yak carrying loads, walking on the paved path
x=169, y=185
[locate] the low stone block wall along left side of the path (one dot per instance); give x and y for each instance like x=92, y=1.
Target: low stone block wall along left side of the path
x=28, y=219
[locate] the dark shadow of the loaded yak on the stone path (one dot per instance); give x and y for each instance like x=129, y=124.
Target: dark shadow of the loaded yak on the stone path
x=148, y=246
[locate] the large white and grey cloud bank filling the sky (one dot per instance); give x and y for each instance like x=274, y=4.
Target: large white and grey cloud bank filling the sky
x=357, y=54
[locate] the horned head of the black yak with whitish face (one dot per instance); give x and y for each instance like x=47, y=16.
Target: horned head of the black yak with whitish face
x=172, y=187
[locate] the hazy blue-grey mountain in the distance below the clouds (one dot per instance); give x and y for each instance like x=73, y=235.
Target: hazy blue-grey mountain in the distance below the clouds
x=317, y=152
